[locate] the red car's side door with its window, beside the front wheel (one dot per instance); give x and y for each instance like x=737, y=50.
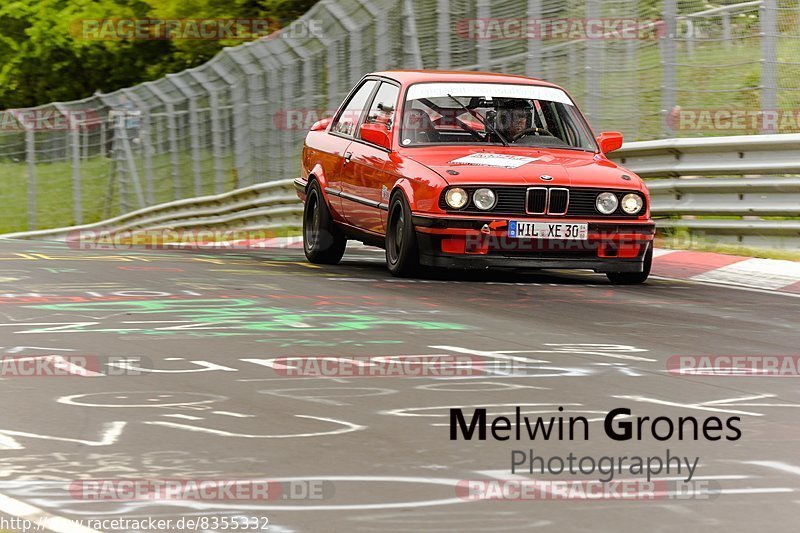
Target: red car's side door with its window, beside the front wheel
x=365, y=183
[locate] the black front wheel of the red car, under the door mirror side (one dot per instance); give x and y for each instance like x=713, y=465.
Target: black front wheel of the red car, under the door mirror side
x=402, y=252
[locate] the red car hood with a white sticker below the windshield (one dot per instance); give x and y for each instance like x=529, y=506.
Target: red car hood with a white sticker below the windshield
x=499, y=165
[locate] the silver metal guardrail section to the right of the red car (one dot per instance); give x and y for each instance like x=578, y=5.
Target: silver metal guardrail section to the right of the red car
x=728, y=207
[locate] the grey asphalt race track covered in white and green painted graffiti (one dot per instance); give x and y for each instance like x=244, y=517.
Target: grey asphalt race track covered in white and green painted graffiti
x=204, y=409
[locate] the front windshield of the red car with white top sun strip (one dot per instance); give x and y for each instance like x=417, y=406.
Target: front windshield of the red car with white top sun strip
x=489, y=113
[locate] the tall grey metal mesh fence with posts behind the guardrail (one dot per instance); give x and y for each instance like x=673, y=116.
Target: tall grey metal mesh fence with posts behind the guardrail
x=239, y=119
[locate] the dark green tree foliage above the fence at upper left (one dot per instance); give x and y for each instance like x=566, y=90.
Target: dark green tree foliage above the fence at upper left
x=44, y=56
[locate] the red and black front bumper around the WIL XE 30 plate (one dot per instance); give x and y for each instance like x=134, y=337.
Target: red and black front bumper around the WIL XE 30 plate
x=480, y=243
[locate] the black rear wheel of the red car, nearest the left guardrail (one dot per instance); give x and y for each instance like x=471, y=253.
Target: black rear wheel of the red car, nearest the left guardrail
x=323, y=241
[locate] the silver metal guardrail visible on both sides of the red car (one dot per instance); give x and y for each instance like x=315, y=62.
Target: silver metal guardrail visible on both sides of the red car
x=717, y=208
